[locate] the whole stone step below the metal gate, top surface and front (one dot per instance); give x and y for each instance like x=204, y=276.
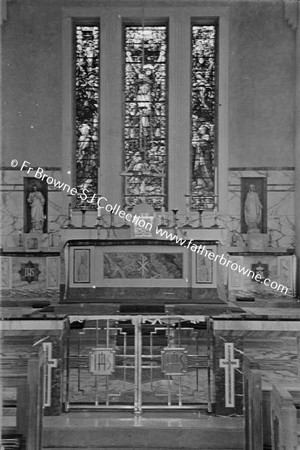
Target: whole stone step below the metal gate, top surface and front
x=89, y=431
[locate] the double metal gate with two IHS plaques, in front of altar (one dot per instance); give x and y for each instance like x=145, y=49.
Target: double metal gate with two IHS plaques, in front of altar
x=138, y=362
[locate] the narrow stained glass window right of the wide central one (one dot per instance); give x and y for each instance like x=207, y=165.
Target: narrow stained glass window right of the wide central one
x=203, y=116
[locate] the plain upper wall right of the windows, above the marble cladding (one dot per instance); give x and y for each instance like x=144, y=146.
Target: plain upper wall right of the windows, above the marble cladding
x=261, y=86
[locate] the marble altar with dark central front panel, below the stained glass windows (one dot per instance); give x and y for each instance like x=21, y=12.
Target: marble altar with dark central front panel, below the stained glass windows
x=134, y=270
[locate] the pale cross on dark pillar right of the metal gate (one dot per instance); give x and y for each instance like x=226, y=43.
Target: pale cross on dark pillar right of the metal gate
x=229, y=364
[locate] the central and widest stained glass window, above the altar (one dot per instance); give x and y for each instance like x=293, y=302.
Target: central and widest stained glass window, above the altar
x=145, y=140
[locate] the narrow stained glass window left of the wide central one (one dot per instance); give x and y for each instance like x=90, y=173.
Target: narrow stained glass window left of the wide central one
x=87, y=109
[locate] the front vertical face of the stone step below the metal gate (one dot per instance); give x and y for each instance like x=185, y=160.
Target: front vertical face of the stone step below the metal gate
x=175, y=438
